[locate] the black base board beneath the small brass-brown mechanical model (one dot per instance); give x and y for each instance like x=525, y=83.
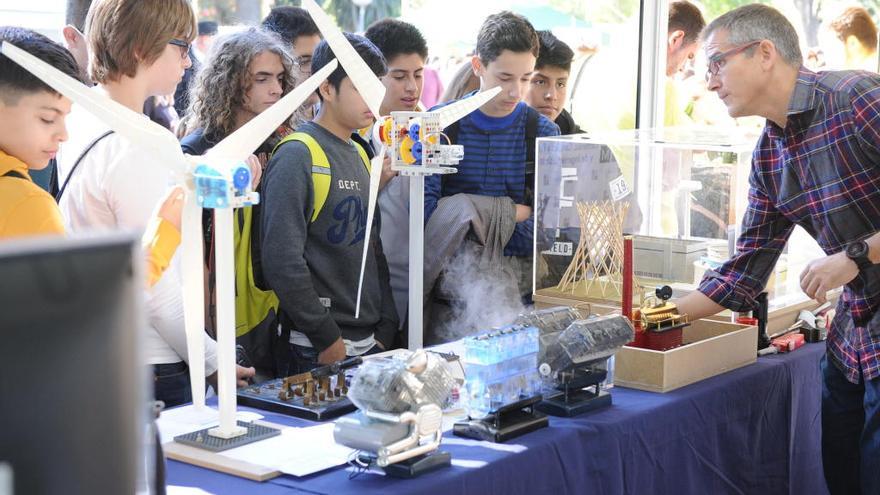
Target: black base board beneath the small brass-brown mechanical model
x=265, y=396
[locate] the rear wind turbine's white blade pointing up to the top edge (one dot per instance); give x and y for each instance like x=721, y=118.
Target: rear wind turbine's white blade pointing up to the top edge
x=368, y=85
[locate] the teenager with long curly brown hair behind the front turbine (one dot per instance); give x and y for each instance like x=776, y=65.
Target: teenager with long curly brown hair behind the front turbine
x=257, y=61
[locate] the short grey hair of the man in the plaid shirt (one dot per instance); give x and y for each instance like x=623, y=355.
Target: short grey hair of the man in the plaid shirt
x=758, y=22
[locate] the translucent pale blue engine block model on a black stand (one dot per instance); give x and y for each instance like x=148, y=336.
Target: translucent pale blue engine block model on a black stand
x=503, y=384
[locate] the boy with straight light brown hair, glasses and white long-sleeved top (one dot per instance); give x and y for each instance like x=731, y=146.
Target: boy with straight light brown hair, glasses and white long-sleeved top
x=137, y=49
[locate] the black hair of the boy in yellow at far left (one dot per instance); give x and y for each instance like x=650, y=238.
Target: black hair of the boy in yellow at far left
x=15, y=79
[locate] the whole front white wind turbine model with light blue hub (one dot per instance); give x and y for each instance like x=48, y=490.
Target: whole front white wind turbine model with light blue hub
x=217, y=180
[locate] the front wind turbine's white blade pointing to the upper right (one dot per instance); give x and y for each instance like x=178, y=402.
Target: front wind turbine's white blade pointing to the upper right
x=236, y=147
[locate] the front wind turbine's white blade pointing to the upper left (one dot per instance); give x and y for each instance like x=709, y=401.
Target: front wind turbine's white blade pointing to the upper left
x=134, y=126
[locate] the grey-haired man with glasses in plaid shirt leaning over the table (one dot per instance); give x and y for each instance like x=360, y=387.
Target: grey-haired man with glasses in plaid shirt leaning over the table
x=817, y=165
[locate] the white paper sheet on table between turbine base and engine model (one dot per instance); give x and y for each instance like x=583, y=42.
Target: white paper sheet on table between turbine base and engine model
x=297, y=451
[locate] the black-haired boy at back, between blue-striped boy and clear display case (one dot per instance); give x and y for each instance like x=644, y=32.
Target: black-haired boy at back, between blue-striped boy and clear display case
x=548, y=89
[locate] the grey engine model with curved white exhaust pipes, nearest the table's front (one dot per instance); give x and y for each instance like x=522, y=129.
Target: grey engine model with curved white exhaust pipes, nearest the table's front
x=398, y=425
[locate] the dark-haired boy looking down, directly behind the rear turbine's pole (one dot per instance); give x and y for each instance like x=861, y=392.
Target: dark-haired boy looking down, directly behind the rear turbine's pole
x=405, y=52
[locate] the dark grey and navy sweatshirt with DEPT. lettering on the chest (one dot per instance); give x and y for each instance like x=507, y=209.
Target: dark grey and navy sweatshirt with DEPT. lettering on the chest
x=314, y=267
